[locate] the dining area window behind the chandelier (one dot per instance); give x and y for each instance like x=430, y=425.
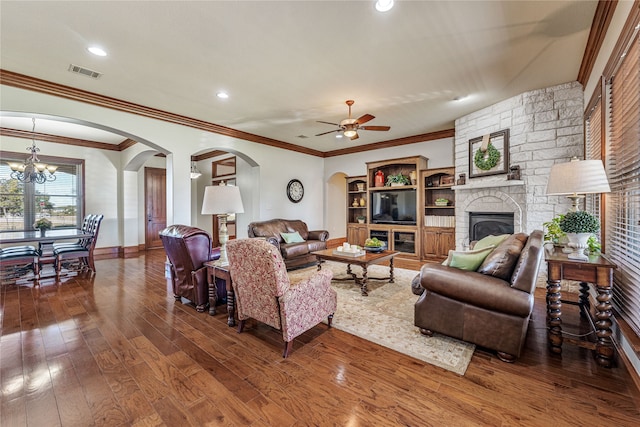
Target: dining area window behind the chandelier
x=61, y=200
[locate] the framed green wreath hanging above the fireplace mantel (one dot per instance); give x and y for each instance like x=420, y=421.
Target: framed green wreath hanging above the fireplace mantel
x=489, y=154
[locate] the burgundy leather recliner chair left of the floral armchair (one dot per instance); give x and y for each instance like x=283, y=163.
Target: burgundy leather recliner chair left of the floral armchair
x=188, y=248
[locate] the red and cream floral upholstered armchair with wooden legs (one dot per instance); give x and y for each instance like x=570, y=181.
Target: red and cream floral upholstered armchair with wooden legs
x=263, y=291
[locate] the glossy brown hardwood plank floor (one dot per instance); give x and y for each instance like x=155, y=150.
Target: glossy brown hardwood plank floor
x=116, y=349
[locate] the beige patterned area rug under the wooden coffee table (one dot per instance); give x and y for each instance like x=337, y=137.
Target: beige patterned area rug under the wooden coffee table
x=386, y=316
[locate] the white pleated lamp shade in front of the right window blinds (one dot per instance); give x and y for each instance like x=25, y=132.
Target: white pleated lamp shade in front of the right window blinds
x=578, y=177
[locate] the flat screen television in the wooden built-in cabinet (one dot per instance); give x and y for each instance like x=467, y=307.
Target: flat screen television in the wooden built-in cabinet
x=394, y=207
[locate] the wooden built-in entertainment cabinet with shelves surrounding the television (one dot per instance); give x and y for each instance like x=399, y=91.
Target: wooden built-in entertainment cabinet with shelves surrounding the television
x=431, y=231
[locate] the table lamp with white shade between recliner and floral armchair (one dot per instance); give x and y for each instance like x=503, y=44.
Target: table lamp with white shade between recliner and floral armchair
x=222, y=200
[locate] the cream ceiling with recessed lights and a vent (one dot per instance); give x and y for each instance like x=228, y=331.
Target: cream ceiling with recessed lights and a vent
x=287, y=64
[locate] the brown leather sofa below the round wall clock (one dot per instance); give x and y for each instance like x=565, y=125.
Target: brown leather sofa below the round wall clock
x=293, y=254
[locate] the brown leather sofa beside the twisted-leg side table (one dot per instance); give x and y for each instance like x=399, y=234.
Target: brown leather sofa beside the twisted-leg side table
x=489, y=307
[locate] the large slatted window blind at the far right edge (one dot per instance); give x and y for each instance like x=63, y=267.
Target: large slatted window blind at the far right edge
x=623, y=165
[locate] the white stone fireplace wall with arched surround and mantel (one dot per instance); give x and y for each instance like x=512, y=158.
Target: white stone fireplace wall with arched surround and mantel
x=545, y=127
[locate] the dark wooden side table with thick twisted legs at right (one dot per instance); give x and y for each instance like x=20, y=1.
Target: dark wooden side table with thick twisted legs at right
x=598, y=271
